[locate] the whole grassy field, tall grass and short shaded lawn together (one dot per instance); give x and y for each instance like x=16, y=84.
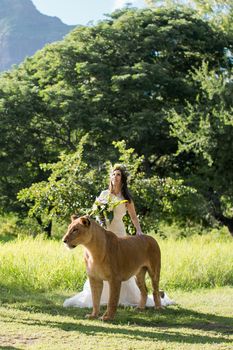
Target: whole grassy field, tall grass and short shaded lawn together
x=36, y=275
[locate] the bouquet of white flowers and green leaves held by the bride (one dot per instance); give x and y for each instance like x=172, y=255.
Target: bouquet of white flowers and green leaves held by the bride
x=103, y=207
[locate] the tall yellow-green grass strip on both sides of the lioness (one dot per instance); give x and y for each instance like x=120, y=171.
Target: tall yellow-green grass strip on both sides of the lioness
x=39, y=264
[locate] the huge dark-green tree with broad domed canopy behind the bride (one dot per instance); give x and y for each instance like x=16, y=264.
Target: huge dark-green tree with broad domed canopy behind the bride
x=115, y=80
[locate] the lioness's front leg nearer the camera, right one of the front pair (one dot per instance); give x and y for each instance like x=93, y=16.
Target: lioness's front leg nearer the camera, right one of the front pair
x=114, y=290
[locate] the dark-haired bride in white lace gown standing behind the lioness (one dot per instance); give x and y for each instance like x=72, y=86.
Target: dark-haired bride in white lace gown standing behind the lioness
x=118, y=195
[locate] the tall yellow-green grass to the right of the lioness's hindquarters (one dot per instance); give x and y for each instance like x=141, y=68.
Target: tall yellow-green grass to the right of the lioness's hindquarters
x=197, y=262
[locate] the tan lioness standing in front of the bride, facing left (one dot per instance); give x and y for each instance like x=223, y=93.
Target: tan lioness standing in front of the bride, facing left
x=114, y=259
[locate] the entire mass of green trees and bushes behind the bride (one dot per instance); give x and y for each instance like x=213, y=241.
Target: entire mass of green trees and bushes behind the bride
x=151, y=88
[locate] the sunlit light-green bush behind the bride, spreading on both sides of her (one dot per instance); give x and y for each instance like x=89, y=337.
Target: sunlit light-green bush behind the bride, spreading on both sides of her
x=73, y=185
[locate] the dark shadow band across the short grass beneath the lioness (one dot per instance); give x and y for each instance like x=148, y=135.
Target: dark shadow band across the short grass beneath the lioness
x=166, y=325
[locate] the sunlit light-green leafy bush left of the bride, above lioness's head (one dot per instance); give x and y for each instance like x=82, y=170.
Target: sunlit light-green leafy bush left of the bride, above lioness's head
x=69, y=189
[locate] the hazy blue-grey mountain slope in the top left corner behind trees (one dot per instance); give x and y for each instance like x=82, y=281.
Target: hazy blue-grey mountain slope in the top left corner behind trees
x=24, y=30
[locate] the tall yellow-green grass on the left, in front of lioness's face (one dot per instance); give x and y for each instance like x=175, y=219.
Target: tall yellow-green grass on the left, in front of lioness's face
x=40, y=264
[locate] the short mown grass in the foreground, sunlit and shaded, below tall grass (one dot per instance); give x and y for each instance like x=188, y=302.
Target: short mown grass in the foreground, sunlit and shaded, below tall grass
x=202, y=319
